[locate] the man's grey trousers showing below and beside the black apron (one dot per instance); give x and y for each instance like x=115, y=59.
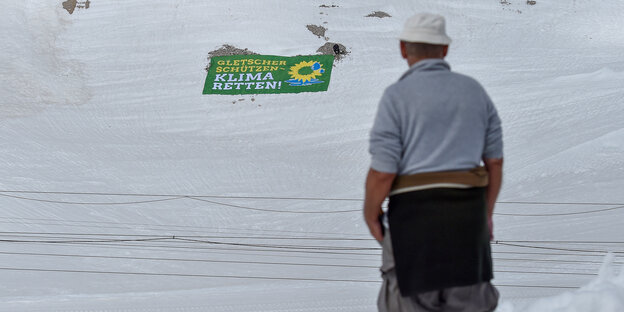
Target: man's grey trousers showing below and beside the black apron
x=481, y=297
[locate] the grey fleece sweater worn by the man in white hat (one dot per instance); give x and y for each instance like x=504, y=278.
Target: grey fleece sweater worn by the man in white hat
x=433, y=120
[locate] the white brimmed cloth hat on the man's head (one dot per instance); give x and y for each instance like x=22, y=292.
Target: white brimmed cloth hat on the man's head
x=425, y=28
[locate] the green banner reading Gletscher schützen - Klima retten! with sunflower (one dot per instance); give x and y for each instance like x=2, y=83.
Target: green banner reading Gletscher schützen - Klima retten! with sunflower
x=262, y=74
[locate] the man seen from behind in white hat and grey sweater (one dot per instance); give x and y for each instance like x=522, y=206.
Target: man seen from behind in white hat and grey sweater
x=437, y=153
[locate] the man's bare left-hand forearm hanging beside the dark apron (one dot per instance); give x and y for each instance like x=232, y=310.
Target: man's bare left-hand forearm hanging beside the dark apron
x=378, y=186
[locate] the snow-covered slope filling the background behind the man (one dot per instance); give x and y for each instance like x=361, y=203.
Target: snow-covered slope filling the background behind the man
x=105, y=136
